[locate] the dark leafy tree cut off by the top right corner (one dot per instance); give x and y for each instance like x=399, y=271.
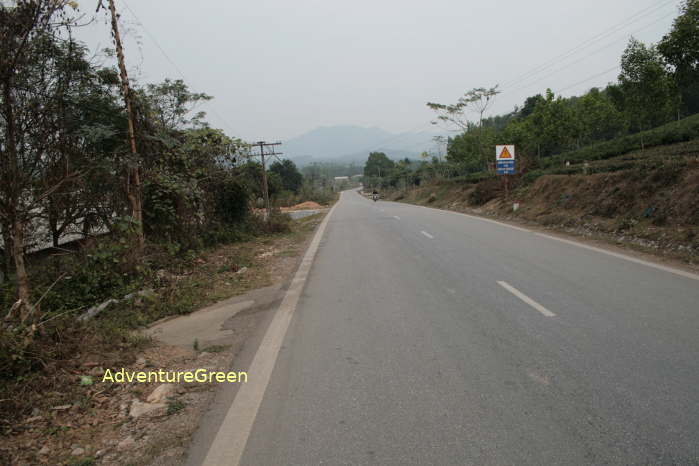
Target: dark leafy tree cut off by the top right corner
x=680, y=48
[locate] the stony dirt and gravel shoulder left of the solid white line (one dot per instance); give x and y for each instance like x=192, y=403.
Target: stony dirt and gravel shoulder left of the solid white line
x=151, y=423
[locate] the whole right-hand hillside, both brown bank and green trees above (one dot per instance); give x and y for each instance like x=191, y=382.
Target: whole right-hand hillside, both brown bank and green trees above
x=619, y=161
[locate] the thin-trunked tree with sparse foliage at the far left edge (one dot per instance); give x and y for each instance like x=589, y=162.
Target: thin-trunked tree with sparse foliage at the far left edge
x=30, y=88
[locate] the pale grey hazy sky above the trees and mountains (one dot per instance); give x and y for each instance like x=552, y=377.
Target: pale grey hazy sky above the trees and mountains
x=279, y=68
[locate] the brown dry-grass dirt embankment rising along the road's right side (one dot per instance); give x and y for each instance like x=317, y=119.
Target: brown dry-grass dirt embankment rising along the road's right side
x=651, y=205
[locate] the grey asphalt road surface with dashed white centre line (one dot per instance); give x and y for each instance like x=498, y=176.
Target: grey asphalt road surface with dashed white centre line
x=429, y=337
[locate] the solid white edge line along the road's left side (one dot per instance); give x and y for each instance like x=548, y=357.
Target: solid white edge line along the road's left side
x=229, y=444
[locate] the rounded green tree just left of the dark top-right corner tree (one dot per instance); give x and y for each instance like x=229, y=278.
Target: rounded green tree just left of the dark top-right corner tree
x=649, y=95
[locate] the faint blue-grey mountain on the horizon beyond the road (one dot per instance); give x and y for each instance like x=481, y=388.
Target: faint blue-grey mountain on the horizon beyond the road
x=353, y=143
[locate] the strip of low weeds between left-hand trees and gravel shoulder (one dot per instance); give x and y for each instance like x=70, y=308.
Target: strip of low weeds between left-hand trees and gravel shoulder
x=48, y=367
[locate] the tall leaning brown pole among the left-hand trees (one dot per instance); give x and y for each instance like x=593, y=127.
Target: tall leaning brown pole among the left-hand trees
x=133, y=182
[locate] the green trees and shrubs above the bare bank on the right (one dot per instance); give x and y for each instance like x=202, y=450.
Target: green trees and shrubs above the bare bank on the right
x=653, y=102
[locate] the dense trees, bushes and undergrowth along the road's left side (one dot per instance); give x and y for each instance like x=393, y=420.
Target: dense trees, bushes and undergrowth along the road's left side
x=96, y=238
